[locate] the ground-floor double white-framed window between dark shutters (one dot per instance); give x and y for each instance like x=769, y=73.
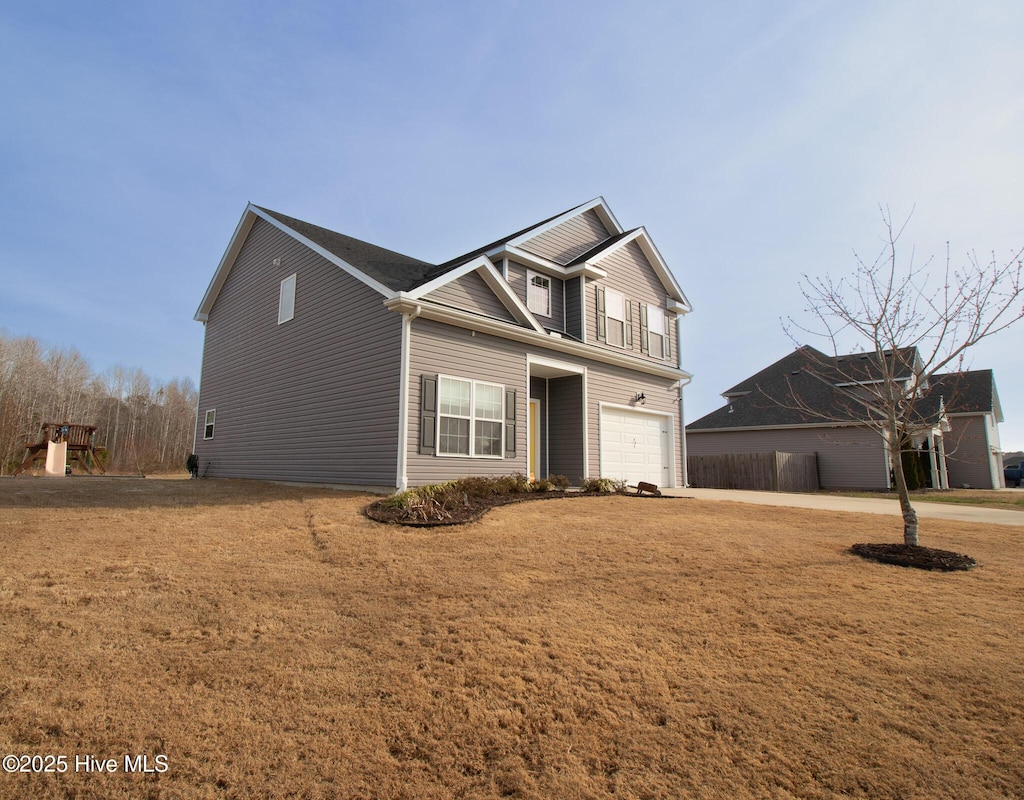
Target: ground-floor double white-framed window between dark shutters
x=471, y=418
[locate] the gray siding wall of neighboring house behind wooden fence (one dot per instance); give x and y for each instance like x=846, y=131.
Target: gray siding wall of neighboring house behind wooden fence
x=848, y=457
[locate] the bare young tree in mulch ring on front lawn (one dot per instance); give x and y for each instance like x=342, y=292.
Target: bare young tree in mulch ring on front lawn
x=912, y=322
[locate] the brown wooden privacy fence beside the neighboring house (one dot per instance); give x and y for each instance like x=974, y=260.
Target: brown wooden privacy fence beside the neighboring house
x=765, y=472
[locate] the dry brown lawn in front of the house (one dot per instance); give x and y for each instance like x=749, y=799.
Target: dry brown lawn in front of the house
x=272, y=642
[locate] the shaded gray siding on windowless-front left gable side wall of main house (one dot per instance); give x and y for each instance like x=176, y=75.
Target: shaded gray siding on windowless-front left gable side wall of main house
x=313, y=400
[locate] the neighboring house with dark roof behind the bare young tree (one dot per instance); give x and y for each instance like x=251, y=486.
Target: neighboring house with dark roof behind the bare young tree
x=812, y=403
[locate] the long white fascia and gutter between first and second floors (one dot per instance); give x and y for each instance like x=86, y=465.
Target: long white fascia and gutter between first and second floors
x=403, y=304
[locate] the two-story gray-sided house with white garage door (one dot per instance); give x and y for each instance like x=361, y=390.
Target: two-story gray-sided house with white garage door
x=553, y=351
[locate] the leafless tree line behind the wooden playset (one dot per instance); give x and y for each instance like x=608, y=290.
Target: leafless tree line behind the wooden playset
x=146, y=427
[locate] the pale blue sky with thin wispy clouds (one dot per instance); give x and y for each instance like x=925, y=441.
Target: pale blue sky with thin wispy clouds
x=755, y=141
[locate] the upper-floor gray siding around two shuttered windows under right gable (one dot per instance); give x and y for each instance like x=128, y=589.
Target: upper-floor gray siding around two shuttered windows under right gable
x=631, y=274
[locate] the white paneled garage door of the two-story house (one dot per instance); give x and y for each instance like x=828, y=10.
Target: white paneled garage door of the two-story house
x=635, y=447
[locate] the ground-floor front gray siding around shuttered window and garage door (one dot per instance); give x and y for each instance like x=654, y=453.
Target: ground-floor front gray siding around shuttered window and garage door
x=440, y=349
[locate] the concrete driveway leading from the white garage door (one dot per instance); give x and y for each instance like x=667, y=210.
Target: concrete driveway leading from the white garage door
x=863, y=506
